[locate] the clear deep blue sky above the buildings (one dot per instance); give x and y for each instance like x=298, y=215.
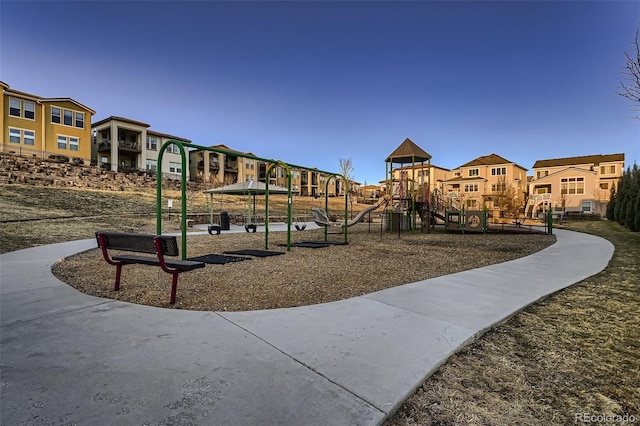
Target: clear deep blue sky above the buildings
x=311, y=83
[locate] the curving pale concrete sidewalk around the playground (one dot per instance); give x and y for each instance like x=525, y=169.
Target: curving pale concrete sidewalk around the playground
x=69, y=358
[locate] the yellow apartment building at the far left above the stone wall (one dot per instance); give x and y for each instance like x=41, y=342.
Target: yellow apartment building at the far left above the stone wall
x=45, y=127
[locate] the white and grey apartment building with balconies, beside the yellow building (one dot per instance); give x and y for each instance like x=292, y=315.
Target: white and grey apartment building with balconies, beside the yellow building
x=123, y=144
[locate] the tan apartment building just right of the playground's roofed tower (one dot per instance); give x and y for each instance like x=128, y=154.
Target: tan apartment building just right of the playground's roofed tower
x=478, y=183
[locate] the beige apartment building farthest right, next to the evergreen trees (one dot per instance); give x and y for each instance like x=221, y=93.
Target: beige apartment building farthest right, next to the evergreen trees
x=574, y=184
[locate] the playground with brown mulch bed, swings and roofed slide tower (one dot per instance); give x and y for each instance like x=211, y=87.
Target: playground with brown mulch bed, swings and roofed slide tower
x=330, y=258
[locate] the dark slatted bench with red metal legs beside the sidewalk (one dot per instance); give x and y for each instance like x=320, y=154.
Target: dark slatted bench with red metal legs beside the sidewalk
x=160, y=245
